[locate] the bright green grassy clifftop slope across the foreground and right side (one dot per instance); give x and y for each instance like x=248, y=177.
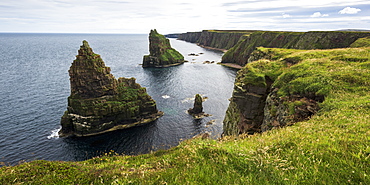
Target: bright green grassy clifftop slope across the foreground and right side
x=331, y=148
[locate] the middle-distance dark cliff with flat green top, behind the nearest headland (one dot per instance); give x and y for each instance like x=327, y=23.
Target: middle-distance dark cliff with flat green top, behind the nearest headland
x=240, y=53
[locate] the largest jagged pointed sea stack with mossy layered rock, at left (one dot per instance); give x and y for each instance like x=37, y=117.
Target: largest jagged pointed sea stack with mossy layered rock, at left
x=99, y=102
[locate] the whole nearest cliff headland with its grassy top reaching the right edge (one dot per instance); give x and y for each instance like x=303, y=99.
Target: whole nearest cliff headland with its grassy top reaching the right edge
x=280, y=87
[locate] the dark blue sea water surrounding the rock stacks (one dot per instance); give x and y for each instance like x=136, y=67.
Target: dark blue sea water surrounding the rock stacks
x=34, y=86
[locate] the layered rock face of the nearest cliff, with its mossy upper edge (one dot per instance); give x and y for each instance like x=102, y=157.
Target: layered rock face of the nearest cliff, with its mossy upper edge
x=268, y=95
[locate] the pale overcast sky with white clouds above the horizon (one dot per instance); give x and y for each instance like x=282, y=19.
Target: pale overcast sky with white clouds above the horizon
x=177, y=16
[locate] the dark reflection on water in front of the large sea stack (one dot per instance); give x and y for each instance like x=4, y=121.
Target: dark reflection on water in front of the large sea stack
x=130, y=141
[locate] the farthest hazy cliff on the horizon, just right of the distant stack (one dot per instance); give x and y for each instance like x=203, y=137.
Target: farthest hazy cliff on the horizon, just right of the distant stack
x=218, y=39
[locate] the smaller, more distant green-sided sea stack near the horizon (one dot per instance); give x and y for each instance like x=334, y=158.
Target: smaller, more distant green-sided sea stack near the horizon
x=161, y=52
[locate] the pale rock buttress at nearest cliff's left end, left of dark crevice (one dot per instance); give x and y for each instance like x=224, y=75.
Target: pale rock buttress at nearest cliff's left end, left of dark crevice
x=246, y=109
